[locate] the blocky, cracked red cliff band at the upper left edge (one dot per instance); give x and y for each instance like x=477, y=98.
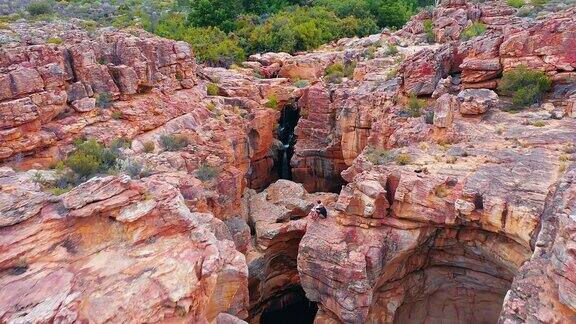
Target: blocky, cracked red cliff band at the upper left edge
x=39, y=84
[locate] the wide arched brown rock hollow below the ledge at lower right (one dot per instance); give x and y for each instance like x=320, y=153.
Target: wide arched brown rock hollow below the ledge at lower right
x=459, y=277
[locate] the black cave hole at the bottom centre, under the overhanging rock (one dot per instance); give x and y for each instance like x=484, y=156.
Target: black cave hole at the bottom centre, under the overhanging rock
x=291, y=307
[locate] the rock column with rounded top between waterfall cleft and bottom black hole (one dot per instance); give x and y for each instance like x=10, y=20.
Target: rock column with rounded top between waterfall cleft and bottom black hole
x=278, y=216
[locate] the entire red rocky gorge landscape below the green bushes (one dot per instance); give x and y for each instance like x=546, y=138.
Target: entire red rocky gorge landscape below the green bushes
x=137, y=185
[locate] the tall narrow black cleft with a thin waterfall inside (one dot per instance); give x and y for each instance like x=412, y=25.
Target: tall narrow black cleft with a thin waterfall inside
x=285, y=134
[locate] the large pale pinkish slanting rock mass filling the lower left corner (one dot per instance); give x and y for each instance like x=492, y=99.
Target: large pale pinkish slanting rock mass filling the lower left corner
x=114, y=250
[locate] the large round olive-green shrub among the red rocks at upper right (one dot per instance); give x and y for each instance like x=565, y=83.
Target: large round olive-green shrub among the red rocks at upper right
x=526, y=86
